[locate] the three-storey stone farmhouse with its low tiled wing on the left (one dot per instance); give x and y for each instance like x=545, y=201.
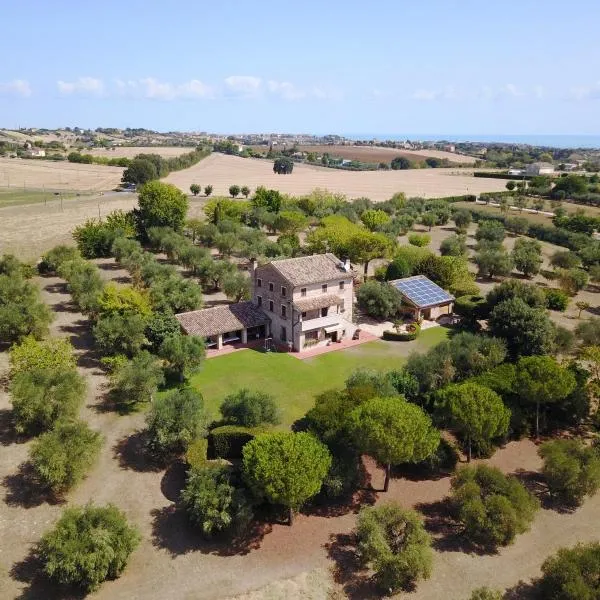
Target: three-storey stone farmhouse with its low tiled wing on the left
x=296, y=303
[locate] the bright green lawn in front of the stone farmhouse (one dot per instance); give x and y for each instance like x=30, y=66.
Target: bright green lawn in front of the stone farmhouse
x=293, y=382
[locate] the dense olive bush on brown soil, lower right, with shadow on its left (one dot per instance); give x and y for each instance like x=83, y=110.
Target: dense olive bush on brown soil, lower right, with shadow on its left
x=492, y=507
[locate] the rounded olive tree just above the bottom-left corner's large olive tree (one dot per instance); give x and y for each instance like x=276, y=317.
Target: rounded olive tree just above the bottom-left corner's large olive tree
x=62, y=457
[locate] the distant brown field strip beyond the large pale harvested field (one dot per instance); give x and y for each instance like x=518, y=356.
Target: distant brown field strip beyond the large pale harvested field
x=375, y=154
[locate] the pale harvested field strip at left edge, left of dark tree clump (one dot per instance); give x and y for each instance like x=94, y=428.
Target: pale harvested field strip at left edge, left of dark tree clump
x=63, y=175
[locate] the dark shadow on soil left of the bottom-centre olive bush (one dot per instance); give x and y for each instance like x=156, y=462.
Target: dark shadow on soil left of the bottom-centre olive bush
x=348, y=571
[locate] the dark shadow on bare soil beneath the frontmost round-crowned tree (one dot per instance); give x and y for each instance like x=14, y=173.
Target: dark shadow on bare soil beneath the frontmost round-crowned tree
x=172, y=531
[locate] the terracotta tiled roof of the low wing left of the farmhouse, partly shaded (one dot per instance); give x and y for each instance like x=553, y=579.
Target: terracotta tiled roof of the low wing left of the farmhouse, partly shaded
x=221, y=319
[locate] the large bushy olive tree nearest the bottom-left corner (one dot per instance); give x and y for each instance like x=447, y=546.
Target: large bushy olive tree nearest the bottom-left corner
x=87, y=546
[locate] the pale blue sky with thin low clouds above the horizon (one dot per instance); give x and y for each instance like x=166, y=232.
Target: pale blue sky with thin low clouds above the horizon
x=442, y=66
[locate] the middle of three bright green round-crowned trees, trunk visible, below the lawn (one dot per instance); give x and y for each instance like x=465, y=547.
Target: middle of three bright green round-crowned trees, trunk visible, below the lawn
x=393, y=431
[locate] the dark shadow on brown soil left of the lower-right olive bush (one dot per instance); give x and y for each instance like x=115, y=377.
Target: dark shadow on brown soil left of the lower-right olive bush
x=446, y=533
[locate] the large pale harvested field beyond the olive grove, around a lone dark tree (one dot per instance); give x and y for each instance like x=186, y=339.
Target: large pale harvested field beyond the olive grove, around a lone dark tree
x=221, y=171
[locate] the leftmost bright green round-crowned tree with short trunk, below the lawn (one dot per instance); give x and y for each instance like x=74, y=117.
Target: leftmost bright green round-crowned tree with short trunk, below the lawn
x=286, y=468
